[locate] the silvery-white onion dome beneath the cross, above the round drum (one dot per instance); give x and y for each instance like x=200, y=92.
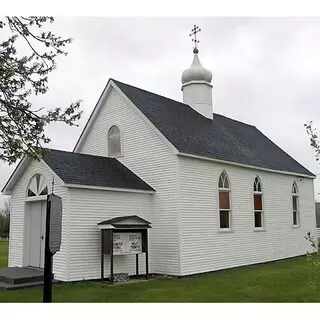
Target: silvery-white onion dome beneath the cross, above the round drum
x=196, y=72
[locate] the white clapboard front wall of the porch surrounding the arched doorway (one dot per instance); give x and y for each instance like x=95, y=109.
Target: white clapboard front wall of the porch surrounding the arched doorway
x=17, y=217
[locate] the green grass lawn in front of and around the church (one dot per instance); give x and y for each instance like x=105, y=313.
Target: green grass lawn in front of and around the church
x=281, y=281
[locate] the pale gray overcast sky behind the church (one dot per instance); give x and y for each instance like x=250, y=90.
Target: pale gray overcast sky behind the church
x=266, y=71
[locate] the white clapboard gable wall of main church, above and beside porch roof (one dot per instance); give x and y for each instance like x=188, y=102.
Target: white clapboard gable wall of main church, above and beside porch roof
x=148, y=156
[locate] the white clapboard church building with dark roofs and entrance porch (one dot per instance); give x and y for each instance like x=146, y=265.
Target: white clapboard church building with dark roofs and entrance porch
x=217, y=192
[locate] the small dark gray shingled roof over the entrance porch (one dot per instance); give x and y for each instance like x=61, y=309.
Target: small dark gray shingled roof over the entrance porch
x=77, y=168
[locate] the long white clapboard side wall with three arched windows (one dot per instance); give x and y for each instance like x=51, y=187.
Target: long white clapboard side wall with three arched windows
x=205, y=249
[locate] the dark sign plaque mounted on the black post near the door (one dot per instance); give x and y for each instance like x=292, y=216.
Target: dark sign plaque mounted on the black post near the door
x=55, y=222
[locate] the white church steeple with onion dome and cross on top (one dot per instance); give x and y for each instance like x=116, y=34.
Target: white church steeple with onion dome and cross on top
x=196, y=83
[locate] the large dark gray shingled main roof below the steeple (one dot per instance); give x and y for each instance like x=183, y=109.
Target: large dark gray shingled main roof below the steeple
x=223, y=138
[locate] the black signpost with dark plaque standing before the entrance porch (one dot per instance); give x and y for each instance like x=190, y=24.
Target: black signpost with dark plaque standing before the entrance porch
x=52, y=241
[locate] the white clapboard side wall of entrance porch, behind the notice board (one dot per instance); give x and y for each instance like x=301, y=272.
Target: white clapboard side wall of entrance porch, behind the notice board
x=89, y=207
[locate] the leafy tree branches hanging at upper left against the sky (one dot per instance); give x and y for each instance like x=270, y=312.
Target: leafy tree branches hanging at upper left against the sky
x=21, y=76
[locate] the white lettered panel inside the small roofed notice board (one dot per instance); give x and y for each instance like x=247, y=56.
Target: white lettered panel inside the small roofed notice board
x=127, y=243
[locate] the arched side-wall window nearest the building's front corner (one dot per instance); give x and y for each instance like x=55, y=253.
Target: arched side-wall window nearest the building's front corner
x=224, y=201
